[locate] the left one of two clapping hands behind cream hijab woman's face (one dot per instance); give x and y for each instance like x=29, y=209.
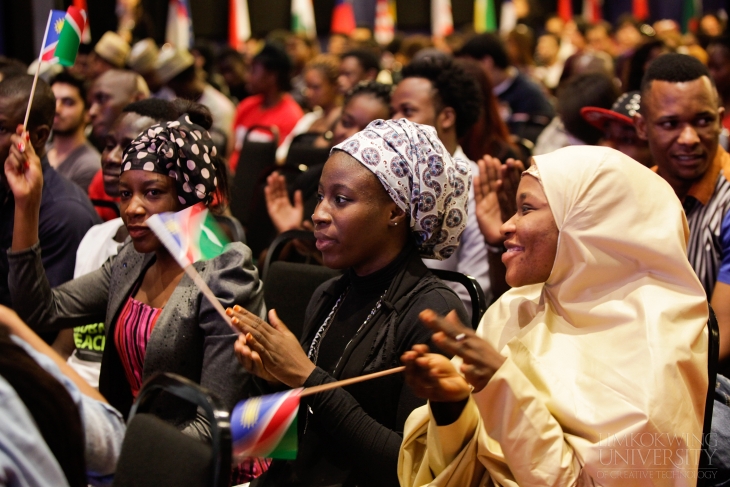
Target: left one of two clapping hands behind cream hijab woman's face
x=486, y=188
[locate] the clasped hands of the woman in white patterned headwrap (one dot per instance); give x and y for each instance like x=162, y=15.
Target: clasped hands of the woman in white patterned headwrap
x=269, y=350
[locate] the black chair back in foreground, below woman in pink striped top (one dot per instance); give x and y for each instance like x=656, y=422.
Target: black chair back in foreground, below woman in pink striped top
x=155, y=453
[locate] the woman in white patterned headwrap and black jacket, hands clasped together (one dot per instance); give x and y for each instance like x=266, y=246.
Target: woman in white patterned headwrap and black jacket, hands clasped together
x=387, y=196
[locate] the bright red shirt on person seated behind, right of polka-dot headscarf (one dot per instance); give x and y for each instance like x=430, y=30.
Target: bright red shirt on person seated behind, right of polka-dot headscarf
x=284, y=116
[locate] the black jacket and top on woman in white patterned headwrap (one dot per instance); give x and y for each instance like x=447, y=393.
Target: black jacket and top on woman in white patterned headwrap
x=352, y=436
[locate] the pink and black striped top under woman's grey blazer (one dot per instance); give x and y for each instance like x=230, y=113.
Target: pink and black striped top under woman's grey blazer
x=133, y=330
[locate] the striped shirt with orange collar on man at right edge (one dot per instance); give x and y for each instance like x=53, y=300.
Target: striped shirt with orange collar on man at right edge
x=706, y=205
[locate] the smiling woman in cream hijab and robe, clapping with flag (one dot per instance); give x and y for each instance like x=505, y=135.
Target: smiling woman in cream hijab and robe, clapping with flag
x=601, y=373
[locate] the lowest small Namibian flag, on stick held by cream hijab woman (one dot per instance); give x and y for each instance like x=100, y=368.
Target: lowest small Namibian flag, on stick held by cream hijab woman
x=266, y=426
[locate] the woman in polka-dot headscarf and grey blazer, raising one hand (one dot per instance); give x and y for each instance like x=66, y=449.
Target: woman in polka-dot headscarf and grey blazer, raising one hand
x=156, y=319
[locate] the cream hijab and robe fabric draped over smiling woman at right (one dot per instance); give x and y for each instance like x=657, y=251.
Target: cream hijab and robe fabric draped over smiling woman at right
x=612, y=345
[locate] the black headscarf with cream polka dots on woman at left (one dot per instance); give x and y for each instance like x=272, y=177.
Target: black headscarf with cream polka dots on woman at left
x=181, y=150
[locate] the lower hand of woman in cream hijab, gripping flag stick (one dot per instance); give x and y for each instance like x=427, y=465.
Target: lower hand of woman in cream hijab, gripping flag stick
x=433, y=377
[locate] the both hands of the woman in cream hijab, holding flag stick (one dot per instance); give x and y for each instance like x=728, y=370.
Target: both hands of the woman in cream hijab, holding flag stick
x=434, y=377
